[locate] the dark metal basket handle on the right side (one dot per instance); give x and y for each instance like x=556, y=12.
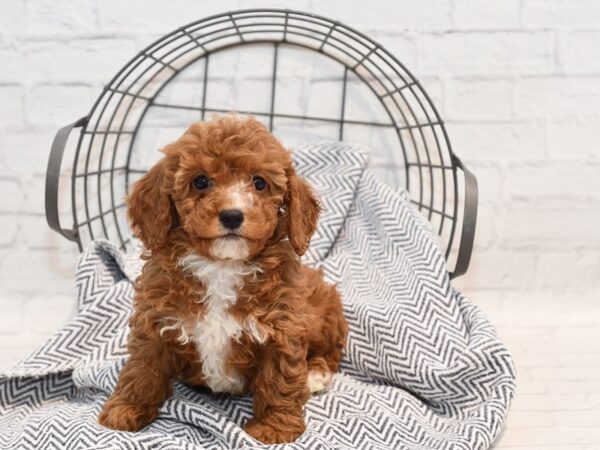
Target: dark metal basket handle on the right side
x=467, y=235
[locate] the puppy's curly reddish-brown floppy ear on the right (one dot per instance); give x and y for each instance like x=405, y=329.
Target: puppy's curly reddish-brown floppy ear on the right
x=303, y=211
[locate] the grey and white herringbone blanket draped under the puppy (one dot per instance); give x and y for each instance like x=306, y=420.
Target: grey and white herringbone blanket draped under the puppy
x=423, y=366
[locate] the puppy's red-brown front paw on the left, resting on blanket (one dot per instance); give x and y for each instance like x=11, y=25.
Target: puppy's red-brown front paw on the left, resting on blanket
x=123, y=416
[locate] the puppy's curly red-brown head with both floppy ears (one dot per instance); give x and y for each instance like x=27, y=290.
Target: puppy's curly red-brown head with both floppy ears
x=233, y=189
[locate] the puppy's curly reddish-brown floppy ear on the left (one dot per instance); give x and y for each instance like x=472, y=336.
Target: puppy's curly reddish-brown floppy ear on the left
x=149, y=206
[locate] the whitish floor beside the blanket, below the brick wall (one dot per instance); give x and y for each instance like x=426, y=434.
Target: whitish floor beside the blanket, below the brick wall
x=555, y=341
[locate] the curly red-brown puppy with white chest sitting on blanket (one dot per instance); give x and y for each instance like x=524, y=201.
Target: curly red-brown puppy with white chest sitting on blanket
x=223, y=300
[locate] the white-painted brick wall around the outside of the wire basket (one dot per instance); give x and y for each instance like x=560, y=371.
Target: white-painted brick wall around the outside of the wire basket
x=518, y=82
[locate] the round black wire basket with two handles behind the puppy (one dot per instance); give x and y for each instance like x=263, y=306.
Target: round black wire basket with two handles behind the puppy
x=379, y=103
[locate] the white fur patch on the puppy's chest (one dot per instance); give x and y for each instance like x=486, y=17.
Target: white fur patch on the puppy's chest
x=212, y=335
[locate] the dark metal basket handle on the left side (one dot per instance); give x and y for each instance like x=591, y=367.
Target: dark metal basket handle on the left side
x=52, y=179
